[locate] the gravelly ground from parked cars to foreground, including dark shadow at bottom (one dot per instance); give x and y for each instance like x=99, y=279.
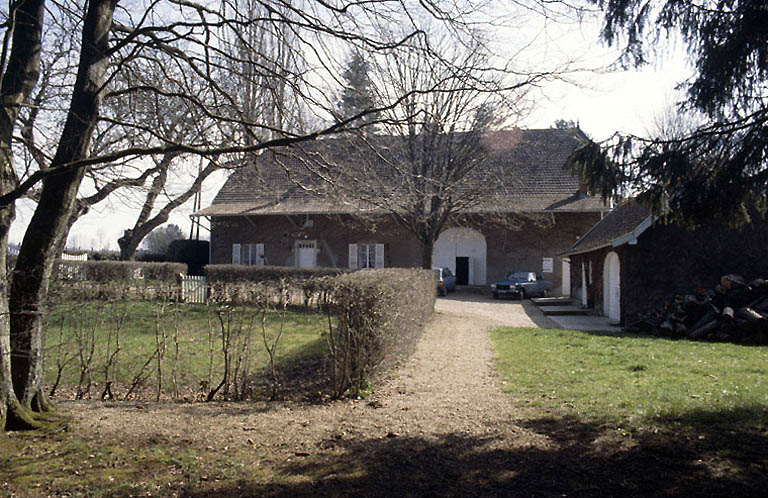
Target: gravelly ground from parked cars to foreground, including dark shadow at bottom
x=441, y=426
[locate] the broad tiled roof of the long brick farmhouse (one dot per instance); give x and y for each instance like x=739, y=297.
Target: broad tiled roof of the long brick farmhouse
x=522, y=171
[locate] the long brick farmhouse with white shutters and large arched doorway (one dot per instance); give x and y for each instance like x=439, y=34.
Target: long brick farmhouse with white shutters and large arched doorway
x=278, y=210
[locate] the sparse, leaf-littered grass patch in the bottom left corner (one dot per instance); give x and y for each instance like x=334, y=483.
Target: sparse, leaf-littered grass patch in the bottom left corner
x=33, y=464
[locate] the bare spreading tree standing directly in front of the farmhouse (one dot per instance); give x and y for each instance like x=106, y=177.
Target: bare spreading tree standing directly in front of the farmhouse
x=424, y=167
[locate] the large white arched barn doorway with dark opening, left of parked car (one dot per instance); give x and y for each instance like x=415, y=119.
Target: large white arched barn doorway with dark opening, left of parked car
x=463, y=250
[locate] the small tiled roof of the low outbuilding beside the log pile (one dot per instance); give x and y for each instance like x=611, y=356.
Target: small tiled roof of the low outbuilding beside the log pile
x=627, y=219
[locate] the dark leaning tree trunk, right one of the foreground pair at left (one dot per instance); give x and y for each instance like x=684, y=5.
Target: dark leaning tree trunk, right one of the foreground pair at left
x=29, y=285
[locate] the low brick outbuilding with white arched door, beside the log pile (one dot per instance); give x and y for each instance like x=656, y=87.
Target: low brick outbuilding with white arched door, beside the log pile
x=631, y=262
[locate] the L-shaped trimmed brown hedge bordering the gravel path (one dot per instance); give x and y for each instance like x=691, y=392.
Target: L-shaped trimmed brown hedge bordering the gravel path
x=375, y=317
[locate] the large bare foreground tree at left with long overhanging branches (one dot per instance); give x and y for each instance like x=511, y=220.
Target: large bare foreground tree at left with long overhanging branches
x=186, y=44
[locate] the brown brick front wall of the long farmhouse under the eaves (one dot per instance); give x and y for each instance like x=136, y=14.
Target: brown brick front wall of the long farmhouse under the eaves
x=506, y=249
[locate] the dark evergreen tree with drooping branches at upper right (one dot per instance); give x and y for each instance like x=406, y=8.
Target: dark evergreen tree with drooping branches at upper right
x=719, y=170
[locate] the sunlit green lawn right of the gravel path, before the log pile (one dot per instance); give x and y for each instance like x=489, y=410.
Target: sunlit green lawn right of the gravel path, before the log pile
x=633, y=382
